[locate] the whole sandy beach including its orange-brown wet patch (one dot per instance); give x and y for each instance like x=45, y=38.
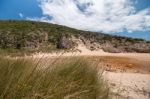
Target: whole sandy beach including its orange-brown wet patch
x=132, y=83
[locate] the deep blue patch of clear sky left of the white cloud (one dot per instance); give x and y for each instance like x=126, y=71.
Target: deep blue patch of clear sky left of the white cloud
x=10, y=9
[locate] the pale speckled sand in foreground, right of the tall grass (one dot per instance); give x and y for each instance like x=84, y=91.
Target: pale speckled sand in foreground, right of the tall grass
x=129, y=85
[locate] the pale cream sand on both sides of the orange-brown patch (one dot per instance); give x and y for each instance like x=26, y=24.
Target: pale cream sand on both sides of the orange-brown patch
x=128, y=85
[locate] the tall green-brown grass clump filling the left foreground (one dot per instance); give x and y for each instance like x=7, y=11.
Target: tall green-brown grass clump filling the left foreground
x=72, y=78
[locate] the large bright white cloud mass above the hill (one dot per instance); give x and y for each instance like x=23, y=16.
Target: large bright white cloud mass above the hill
x=96, y=15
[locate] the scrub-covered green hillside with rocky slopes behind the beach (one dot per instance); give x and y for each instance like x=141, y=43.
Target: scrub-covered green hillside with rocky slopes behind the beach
x=39, y=36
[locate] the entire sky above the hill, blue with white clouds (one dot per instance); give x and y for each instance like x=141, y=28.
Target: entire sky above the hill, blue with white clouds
x=120, y=17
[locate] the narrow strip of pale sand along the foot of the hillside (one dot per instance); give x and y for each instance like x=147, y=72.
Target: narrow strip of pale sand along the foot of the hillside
x=83, y=51
